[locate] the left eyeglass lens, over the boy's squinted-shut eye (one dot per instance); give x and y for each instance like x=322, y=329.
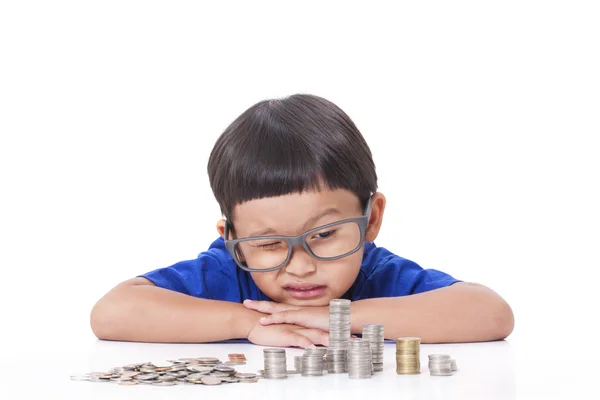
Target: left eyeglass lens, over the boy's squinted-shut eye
x=262, y=254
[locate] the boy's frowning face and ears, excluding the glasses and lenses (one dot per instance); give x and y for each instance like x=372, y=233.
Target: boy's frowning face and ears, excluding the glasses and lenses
x=305, y=281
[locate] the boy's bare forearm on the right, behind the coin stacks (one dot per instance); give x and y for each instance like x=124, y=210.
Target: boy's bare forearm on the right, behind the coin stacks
x=462, y=312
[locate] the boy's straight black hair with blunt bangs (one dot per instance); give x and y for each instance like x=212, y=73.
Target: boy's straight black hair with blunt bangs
x=289, y=145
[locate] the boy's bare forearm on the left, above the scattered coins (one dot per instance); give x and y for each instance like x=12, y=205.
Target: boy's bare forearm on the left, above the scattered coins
x=146, y=313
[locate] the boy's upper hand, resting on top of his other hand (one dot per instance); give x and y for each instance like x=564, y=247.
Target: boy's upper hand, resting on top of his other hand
x=307, y=317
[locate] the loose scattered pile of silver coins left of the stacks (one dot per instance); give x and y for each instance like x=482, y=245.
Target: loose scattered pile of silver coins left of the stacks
x=183, y=371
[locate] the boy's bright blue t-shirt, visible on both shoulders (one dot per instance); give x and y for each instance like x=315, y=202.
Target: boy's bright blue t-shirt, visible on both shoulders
x=215, y=275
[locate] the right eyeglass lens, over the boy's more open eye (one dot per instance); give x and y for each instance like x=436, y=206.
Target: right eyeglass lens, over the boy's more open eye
x=335, y=241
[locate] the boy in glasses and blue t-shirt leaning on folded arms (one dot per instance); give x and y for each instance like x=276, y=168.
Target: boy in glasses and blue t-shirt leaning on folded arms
x=296, y=183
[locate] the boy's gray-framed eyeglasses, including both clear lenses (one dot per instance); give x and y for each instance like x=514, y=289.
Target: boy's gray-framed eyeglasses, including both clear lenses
x=327, y=242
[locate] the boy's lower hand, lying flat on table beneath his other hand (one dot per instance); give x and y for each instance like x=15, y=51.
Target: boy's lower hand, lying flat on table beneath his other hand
x=287, y=335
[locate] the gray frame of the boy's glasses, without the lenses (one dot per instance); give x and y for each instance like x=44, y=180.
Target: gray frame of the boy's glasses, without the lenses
x=300, y=240
